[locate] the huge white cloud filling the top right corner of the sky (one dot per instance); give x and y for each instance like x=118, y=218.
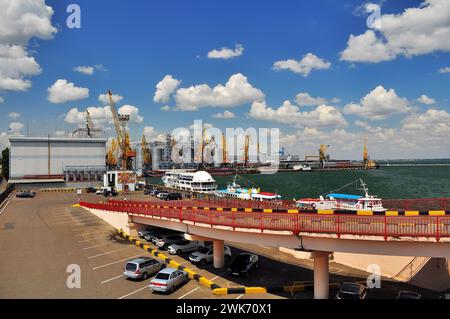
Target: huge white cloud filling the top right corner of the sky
x=415, y=31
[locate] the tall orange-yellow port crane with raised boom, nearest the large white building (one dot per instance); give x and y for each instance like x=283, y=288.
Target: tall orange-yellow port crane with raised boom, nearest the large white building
x=123, y=138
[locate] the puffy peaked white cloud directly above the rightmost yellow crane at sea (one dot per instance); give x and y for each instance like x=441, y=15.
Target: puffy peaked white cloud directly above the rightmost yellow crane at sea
x=378, y=104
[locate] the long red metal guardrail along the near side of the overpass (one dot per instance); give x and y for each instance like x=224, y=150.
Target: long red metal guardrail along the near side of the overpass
x=436, y=227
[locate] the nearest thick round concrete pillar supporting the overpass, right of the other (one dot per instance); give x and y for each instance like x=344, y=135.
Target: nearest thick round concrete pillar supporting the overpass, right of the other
x=321, y=274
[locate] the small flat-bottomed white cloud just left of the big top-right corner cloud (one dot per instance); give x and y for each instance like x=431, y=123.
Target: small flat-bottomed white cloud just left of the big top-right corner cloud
x=308, y=63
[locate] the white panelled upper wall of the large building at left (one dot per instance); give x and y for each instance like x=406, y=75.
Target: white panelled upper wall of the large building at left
x=30, y=156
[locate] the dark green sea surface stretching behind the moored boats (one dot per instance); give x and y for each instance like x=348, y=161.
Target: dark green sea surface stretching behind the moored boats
x=386, y=182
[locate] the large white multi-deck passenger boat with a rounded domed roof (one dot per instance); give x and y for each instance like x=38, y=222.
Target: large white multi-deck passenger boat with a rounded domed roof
x=197, y=182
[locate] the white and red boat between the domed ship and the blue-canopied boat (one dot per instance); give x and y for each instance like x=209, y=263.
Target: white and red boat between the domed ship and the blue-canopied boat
x=234, y=190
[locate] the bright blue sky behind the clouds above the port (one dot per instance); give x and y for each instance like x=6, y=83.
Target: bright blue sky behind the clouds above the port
x=140, y=42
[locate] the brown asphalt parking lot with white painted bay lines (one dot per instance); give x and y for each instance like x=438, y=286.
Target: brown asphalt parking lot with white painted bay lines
x=41, y=237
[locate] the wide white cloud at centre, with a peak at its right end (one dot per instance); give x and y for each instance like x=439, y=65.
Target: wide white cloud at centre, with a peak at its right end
x=237, y=91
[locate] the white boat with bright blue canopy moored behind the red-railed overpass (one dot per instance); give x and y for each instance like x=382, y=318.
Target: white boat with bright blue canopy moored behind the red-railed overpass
x=344, y=202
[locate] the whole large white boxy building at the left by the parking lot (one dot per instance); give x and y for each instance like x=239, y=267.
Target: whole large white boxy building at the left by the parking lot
x=64, y=159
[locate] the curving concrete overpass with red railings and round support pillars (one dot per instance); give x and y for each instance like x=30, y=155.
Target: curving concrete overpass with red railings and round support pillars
x=395, y=233
